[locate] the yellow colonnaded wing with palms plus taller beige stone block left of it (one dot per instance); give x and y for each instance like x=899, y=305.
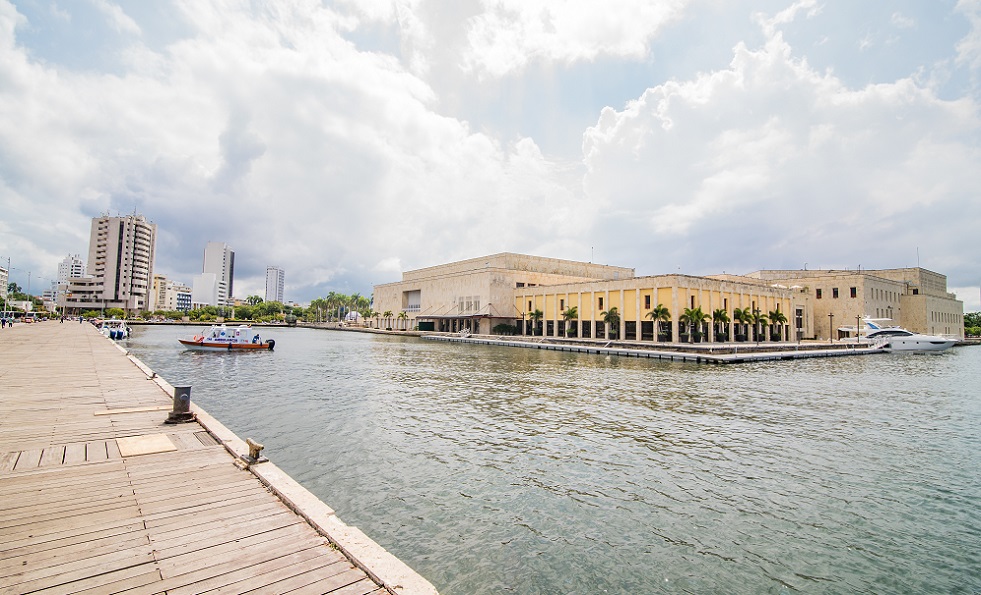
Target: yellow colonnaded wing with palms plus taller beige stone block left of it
x=482, y=293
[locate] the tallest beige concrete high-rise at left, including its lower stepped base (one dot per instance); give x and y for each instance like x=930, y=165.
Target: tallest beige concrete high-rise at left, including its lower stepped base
x=120, y=266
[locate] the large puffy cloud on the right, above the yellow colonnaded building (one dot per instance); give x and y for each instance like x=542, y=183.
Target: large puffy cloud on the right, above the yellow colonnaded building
x=769, y=163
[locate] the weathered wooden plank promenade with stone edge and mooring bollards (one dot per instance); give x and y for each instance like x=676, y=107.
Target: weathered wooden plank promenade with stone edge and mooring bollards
x=98, y=495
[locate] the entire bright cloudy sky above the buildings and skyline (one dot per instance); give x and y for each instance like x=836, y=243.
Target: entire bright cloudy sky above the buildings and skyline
x=349, y=141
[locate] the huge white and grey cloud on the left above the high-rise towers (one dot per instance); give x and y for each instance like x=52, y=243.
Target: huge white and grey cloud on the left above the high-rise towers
x=269, y=131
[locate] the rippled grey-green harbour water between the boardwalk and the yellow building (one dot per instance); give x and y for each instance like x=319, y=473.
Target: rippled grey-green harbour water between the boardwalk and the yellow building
x=498, y=470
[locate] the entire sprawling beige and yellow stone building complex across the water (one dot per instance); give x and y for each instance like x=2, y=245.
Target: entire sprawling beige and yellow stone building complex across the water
x=534, y=295
